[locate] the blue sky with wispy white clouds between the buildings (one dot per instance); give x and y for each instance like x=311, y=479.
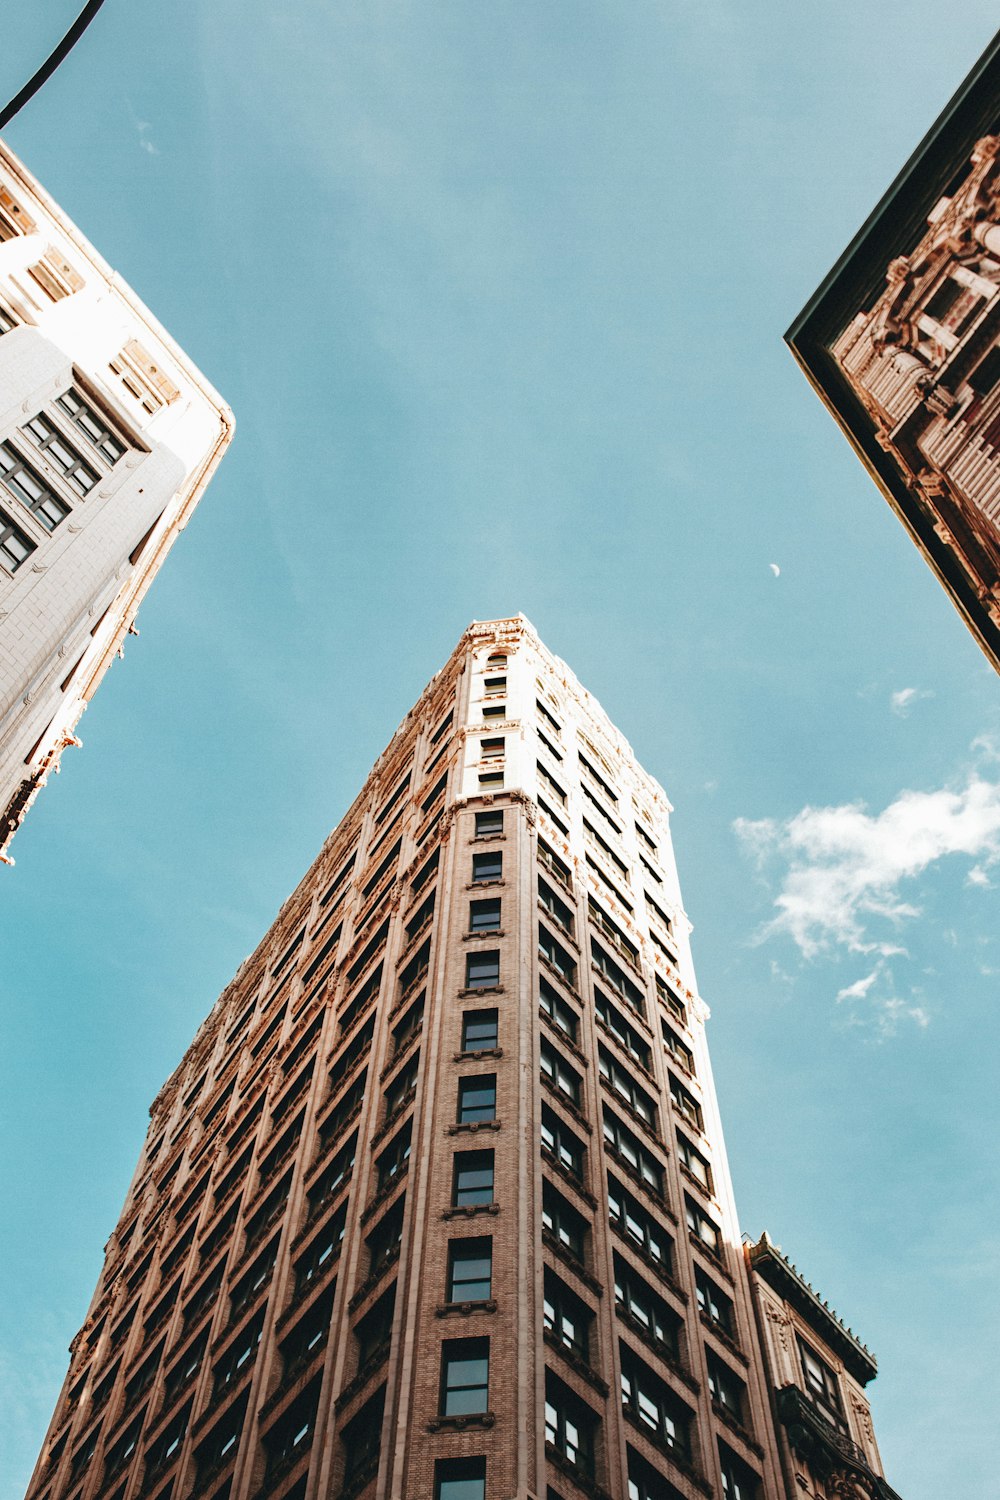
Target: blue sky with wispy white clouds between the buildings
x=497, y=293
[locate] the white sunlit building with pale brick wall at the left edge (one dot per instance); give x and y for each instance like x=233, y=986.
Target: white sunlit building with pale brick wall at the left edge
x=109, y=437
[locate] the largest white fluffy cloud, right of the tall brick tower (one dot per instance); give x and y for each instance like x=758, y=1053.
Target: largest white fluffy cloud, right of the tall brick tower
x=846, y=869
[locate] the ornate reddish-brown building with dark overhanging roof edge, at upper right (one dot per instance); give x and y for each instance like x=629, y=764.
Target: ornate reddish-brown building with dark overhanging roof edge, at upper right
x=903, y=343
